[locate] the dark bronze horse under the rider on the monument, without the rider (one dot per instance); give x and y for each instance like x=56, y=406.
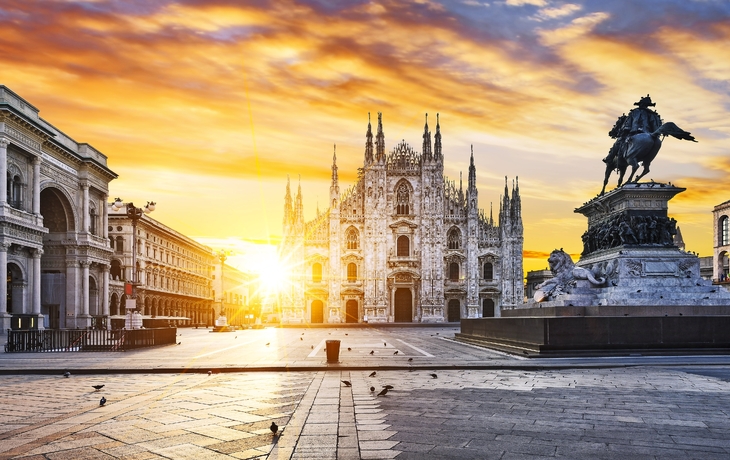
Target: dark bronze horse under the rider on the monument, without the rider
x=640, y=148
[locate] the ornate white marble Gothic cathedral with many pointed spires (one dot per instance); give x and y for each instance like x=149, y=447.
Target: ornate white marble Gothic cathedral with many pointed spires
x=403, y=244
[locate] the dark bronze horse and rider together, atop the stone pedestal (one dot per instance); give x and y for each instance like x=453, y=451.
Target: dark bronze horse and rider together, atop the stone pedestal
x=638, y=137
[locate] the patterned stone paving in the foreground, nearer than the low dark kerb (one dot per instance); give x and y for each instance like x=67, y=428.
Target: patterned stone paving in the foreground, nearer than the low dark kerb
x=617, y=413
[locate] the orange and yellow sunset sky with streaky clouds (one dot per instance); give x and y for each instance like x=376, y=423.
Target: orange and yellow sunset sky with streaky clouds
x=207, y=106
